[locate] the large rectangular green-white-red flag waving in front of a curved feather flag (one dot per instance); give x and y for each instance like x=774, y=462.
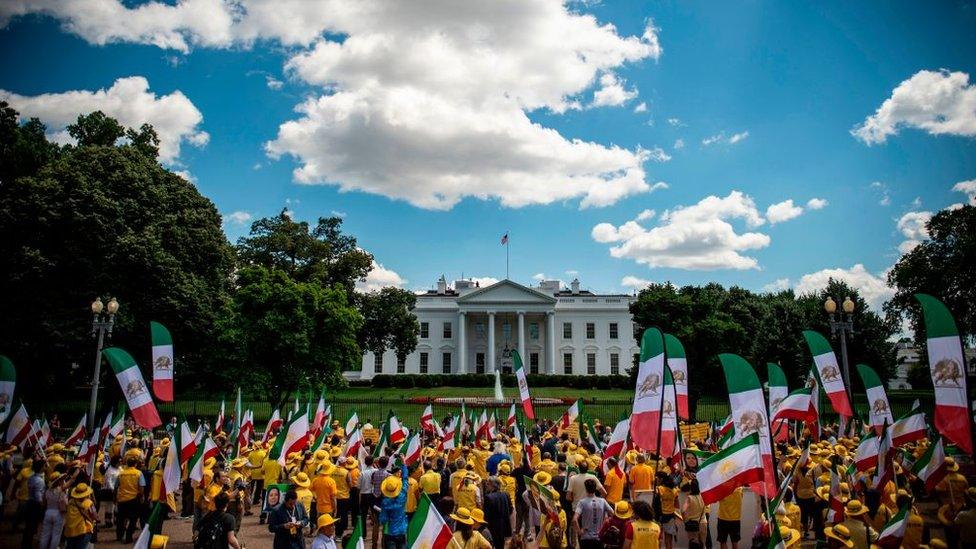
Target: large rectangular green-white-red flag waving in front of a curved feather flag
x=738, y=465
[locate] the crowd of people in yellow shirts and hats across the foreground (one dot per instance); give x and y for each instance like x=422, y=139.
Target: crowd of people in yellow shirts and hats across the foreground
x=555, y=492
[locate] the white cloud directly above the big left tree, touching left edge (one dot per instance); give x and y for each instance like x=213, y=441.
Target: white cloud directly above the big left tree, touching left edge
x=129, y=101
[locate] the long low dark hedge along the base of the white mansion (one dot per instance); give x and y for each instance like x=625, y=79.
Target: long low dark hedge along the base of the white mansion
x=409, y=381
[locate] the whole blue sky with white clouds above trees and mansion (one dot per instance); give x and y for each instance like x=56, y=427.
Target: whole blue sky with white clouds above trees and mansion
x=789, y=81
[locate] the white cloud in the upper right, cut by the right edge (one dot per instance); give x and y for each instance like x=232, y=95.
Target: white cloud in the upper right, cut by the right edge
x=939, y=102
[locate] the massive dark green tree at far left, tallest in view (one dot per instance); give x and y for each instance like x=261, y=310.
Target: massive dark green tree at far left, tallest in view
x=101, y=219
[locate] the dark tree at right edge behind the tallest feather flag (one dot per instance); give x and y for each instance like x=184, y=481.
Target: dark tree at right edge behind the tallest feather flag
x=941, y=266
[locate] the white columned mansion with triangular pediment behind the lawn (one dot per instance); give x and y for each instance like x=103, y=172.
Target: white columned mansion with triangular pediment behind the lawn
x=469, y=329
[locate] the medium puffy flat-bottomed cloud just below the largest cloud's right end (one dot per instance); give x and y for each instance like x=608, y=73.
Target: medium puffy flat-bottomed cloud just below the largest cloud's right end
x=697, y=237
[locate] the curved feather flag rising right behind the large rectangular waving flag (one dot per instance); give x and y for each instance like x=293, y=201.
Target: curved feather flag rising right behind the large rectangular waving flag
x=749, y=412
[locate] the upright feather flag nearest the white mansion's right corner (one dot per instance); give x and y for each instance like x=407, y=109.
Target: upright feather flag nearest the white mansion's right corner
x=649, y=393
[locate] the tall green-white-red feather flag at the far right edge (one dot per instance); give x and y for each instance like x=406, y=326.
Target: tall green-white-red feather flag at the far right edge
x=948, y=368
